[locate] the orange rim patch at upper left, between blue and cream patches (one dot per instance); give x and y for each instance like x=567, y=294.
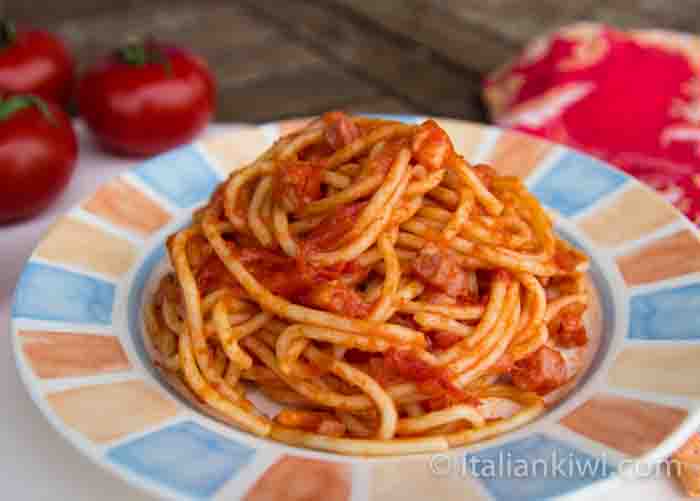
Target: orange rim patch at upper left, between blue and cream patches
x=126, y=207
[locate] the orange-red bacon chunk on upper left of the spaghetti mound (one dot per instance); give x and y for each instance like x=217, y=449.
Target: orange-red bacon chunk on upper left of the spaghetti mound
x=297, y=184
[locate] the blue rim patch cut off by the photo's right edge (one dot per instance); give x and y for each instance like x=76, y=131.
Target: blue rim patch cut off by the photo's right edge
x=666, y=314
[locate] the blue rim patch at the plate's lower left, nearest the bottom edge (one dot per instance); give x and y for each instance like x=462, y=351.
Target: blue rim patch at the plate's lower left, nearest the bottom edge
x=186, y=457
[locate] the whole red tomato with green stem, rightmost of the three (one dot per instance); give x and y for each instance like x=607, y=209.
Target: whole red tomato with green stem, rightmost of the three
x=147, y=98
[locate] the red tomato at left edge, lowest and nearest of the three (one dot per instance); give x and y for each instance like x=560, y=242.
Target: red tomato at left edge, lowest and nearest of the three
x=38, y=150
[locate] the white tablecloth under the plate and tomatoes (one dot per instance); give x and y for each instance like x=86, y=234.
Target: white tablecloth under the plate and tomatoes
x=35, y=462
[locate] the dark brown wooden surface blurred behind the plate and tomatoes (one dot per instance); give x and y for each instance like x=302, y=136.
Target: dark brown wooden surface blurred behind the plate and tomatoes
x=279, y=58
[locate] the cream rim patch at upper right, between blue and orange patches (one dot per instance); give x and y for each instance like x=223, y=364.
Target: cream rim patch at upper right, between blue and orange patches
x=633, y=214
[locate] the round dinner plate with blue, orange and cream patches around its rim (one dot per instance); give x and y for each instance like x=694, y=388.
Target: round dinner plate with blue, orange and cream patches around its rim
x=77, y=333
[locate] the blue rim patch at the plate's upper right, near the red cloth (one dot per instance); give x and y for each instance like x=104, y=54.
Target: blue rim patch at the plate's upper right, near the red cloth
x=575, y=182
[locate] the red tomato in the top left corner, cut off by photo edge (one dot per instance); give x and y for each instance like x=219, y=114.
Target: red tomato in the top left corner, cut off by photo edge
x=35, y=62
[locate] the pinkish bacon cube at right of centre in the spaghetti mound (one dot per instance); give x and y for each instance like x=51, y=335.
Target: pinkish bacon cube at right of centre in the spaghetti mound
x=440, y=268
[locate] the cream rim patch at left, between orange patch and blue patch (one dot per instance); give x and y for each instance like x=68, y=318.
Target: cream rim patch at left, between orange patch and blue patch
x=73, y=242
